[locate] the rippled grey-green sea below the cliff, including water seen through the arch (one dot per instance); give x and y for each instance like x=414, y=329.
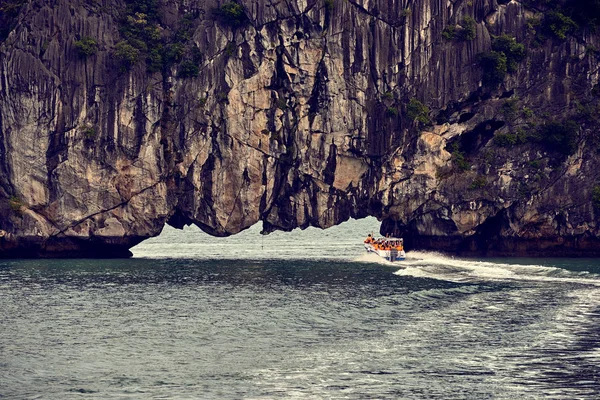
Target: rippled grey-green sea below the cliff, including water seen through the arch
x=299, y=315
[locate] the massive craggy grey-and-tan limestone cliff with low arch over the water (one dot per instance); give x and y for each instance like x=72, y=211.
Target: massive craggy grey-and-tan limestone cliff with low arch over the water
x=301, y=113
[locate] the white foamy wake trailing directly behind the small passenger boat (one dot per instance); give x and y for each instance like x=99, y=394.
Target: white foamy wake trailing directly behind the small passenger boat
x=437, y=266
